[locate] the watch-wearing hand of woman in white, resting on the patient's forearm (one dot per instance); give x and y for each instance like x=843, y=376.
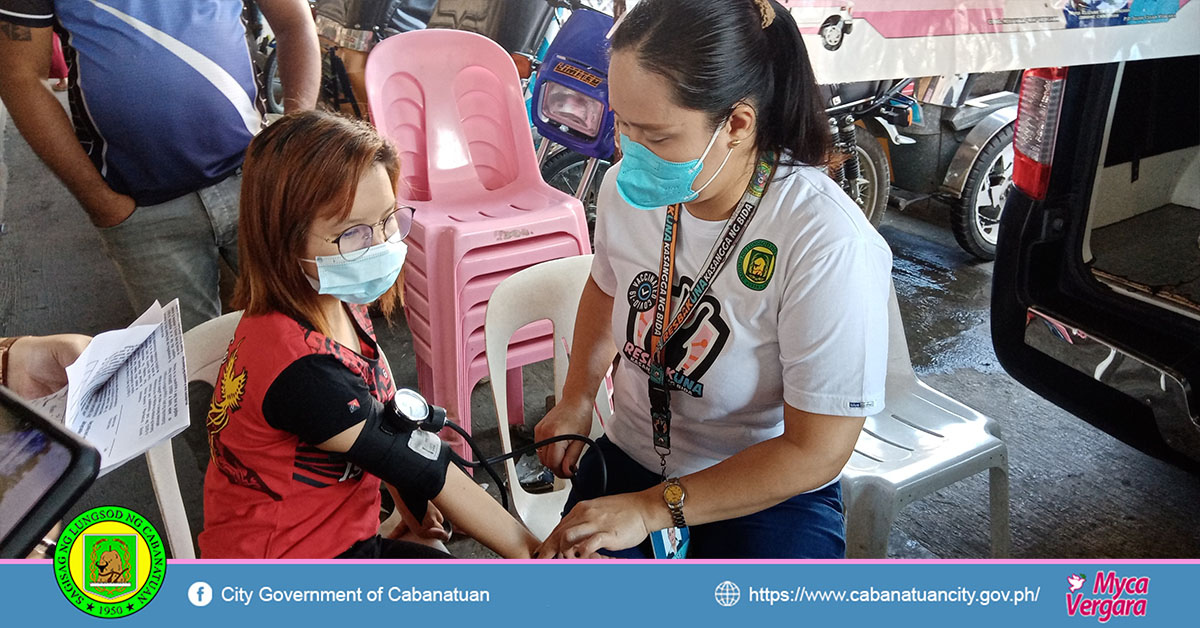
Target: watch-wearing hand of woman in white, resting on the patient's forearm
x=613, y=523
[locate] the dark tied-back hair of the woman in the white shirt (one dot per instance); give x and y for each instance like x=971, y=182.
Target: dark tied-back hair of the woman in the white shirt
x=717, y=55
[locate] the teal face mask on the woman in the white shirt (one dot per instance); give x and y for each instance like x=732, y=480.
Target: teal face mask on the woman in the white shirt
x=650, y=182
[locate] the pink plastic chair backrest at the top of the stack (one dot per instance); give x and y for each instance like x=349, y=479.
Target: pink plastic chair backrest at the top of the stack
x=452, y=103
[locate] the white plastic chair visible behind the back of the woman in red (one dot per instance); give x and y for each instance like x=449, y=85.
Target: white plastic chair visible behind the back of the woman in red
x=205, y=350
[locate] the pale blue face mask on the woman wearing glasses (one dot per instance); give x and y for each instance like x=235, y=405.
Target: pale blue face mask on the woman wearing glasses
x=361, y=280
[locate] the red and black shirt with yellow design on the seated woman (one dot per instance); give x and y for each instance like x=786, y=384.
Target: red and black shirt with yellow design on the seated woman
x=271, y=493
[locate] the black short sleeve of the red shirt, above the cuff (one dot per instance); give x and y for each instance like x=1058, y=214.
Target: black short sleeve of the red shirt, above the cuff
x=317, y=398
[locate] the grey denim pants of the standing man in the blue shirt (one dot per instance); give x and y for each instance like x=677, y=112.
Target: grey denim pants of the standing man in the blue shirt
x=175, y=249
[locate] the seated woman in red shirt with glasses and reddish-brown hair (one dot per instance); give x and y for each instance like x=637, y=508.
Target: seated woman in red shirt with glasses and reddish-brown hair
x=302, y=427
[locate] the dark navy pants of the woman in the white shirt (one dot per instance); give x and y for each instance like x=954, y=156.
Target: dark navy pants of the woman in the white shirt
x=807, y=527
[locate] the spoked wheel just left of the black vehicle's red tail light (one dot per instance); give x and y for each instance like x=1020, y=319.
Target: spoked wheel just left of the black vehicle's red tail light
x=975, y=217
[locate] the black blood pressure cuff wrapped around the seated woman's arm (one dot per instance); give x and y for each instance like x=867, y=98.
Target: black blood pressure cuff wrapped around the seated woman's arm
x=411, y=460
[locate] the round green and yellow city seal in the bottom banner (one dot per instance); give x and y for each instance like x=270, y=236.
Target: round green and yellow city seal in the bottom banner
x=110, y=563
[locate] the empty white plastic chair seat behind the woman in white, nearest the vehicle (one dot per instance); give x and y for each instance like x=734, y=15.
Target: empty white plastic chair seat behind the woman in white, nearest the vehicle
x=922, y=442
